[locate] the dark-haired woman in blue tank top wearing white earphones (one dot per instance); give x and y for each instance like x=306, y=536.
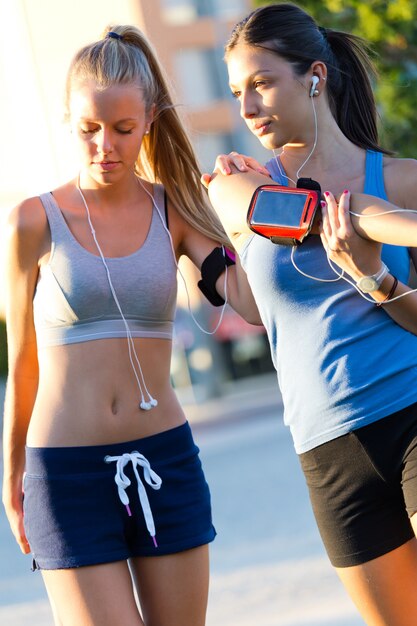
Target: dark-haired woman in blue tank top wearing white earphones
x=345, y=347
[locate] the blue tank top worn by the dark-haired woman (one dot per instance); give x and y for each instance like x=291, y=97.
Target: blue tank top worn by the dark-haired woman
x=342, y=362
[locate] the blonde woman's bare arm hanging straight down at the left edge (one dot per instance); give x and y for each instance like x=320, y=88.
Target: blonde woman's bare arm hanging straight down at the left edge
x=24, y=240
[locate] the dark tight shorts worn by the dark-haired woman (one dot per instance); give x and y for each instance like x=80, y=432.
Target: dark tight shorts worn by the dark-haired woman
x=363, y=488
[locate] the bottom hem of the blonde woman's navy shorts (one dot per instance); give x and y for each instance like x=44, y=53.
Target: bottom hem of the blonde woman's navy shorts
x=84, y=561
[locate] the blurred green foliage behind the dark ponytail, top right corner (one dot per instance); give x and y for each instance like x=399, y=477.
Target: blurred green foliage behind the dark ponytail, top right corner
x=391, y=29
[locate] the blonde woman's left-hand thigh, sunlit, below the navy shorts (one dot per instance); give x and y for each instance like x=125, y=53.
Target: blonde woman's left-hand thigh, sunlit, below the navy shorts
x=97, y=595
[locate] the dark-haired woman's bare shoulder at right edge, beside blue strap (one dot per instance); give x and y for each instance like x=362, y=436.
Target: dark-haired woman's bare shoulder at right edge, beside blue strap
x=400, y=178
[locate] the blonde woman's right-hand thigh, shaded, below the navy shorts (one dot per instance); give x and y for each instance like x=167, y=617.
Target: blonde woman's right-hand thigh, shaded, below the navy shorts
x=173, y=589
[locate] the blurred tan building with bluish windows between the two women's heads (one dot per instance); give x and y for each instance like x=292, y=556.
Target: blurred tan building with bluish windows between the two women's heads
x=190, y=37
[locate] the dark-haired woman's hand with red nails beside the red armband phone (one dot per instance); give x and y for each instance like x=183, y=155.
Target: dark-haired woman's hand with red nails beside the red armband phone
x=356, y=256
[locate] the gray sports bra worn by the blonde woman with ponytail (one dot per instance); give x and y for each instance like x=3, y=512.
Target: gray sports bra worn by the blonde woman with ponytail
x=73, y=302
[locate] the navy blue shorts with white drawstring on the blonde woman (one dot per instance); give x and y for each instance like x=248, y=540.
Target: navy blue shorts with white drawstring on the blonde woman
x=97, y=504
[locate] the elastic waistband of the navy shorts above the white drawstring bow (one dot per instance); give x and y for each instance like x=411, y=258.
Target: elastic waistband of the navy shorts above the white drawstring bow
x=160, y=448
